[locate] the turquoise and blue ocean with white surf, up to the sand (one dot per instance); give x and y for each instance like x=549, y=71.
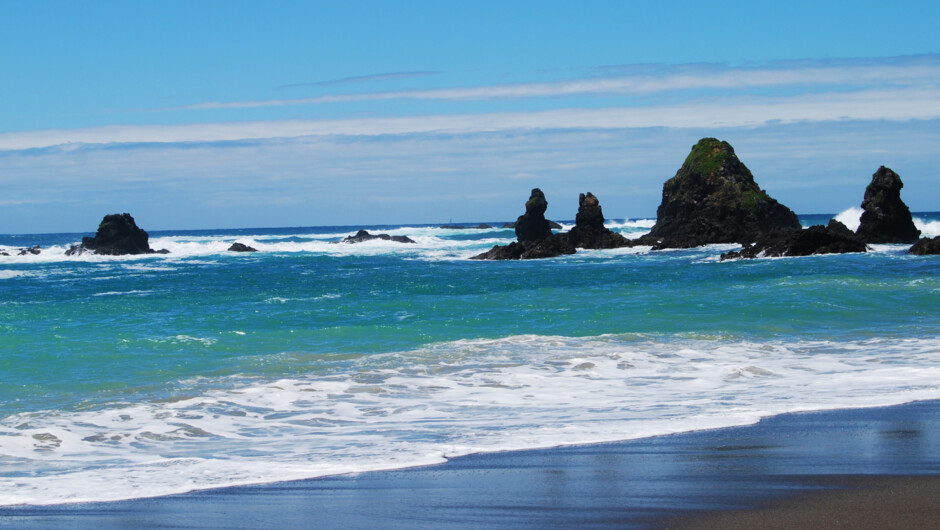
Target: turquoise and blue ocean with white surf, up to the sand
x=137, y=376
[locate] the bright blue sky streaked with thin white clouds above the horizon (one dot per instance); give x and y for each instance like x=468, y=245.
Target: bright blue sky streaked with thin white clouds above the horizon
x=236, y=114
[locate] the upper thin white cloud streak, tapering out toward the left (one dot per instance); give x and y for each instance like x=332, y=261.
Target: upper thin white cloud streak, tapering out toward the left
x=805, y=75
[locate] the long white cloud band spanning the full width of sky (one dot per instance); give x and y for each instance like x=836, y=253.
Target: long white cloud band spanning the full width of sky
x=895, y=104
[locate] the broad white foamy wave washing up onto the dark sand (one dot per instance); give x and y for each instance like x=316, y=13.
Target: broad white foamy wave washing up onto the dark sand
x=420, y=407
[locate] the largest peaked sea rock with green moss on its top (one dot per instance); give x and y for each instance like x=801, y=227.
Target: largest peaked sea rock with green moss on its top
x=713, y=199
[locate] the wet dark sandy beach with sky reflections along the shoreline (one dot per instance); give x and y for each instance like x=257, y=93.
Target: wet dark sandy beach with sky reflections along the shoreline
x=875, y=467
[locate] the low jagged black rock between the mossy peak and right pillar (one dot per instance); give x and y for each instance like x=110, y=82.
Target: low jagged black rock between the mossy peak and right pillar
x=835, y=238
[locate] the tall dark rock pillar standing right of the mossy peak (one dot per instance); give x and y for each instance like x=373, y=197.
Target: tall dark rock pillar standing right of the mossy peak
x=886, y=219
